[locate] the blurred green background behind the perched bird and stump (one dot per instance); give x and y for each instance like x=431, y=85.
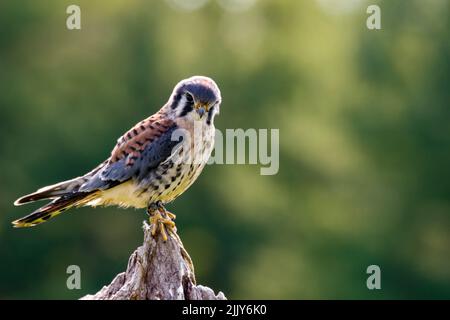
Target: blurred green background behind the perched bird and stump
x=364, y=141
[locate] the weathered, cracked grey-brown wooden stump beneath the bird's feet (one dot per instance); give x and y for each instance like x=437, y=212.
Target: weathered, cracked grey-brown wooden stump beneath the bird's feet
x=157, y=270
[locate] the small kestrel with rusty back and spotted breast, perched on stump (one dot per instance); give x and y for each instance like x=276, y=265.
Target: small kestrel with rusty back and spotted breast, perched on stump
x=151, y=165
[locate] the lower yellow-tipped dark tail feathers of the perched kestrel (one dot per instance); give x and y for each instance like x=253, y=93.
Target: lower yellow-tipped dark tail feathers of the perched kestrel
x=54, y=208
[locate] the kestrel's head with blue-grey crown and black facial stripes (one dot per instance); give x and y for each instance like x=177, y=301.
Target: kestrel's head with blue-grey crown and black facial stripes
x=196, y=98
